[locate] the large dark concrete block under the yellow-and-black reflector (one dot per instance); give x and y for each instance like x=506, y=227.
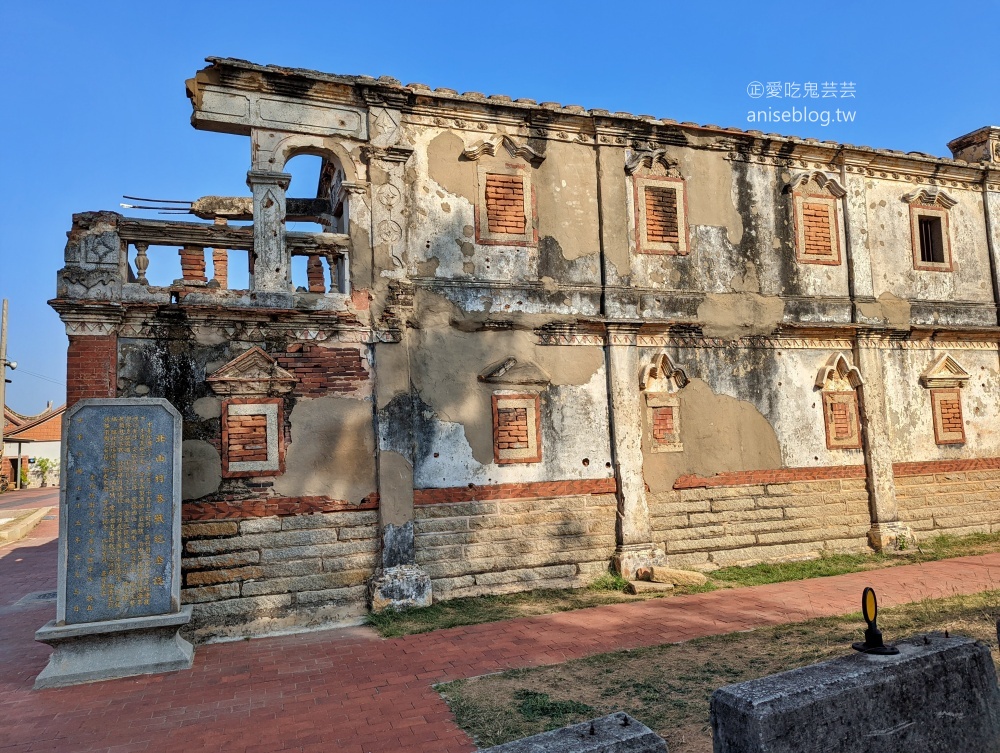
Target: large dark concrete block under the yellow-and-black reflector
x=937, y=694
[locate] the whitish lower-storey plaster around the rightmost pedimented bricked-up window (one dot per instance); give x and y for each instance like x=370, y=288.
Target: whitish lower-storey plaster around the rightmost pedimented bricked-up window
x=909, y=404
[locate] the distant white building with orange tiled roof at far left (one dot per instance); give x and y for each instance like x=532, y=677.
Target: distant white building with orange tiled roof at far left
x=28, y=438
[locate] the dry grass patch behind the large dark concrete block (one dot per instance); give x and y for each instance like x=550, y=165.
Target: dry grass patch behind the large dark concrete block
x=668, y=687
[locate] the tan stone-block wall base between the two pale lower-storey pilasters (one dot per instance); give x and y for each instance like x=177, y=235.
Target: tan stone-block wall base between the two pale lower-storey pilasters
x=718, y=526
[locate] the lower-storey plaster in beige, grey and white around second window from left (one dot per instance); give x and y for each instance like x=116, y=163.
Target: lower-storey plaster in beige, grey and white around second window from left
x=454, y=425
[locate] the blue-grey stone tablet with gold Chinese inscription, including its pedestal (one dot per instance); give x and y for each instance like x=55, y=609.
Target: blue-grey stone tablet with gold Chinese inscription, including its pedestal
x=118, y=610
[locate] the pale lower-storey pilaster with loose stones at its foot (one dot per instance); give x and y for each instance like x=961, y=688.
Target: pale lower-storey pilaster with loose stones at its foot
x=635, y=547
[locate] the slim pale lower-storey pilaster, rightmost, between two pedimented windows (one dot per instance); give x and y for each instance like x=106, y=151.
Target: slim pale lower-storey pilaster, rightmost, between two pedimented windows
x=886, y=530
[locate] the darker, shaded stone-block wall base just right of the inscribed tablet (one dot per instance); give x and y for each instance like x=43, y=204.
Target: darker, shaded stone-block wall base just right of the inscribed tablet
x=269, y=574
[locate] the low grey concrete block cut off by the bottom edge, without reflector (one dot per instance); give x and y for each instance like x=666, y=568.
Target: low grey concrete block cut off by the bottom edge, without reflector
x=614, y=733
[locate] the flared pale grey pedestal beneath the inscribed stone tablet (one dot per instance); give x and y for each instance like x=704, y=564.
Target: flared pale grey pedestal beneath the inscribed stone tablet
x=92, y=651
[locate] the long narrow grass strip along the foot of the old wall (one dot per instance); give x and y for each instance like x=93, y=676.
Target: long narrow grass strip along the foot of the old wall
x=609, y=588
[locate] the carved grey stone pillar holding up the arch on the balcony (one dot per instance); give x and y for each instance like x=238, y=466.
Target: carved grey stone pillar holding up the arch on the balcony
x=272, y=264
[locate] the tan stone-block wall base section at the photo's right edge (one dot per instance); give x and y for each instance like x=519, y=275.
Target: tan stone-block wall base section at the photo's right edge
x=956, y=501
